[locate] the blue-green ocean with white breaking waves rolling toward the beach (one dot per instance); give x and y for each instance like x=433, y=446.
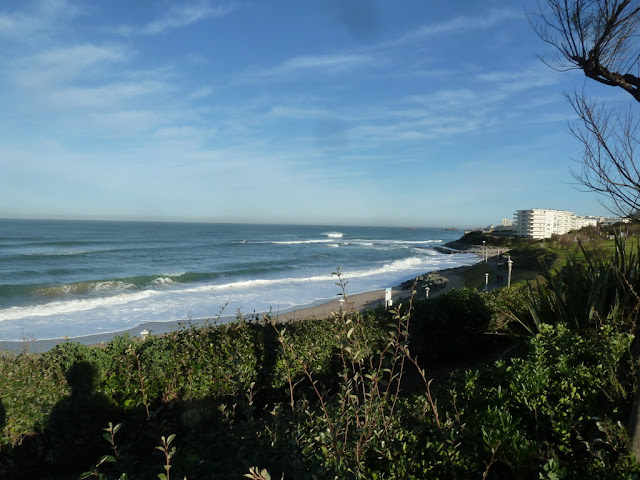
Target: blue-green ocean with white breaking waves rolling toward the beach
x=76, y=278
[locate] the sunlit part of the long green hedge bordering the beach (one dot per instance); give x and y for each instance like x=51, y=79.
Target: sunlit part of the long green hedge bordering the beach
x=196, y=368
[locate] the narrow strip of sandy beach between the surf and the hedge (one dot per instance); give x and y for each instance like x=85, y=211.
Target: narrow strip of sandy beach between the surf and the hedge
x=319, y=310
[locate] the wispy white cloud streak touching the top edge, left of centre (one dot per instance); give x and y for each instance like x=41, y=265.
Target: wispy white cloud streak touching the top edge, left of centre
x=178, y=17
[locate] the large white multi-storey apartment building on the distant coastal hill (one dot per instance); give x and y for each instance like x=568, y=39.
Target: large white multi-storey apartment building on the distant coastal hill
x=541, y=223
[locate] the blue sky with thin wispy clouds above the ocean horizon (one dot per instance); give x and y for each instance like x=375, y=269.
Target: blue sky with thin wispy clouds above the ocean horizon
x=359, y=112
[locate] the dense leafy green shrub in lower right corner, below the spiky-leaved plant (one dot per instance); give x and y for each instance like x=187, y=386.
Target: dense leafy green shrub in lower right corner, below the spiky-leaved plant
x=565, y=400
